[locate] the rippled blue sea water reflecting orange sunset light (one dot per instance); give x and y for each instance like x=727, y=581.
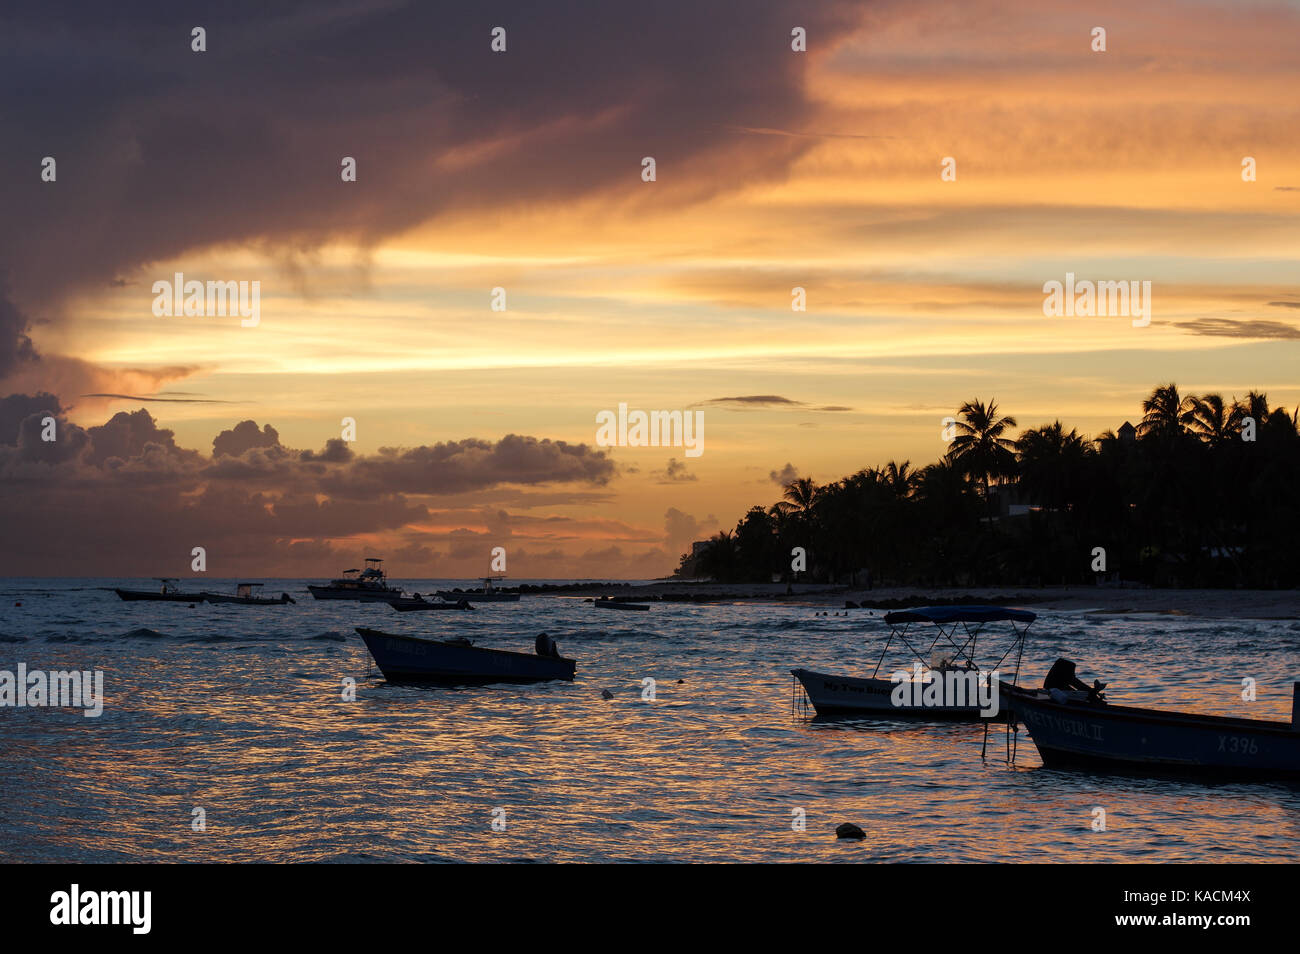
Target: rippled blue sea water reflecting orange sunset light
x=240, y=712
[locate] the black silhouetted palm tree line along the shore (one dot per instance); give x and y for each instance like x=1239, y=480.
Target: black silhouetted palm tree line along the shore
x=1202, y=493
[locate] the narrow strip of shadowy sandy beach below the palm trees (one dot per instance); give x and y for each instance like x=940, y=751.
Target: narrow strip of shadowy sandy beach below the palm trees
x=1260, y=605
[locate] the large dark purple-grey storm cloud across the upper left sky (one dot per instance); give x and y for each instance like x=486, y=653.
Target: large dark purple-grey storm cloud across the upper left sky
x=162, y=150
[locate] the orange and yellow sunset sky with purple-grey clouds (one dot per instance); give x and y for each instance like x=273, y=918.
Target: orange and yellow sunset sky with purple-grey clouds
x=522, y=170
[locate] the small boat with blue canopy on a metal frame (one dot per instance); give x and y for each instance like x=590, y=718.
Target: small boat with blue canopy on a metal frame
x=950, y=666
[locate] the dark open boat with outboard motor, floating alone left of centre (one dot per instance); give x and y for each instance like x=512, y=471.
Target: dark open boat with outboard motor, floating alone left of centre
x=457, y=662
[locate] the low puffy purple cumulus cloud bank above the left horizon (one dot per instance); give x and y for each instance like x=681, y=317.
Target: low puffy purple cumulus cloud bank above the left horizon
x=124, y=497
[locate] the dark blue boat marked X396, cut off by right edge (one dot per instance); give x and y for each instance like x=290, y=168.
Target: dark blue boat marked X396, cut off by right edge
x=1072, y=734
